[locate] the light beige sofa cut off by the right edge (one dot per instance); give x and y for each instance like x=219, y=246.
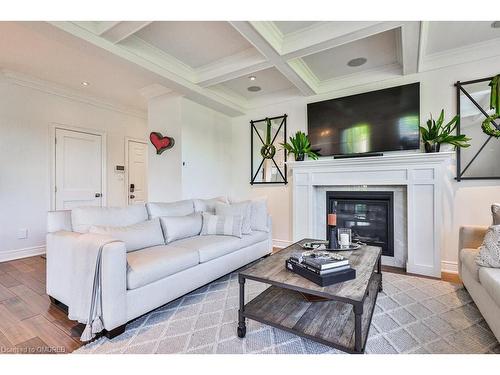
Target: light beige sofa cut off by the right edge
x=482, y=283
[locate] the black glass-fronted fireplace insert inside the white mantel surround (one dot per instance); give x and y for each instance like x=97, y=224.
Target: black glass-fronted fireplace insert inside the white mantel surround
x=369, y=214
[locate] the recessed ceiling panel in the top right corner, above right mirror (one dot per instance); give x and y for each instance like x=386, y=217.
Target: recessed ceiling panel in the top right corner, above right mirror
x=448, y=35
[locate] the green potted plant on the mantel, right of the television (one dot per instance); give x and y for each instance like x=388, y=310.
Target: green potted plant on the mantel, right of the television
x=436, y=133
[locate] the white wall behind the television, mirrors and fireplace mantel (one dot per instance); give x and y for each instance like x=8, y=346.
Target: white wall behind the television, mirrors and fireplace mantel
x=469, y=200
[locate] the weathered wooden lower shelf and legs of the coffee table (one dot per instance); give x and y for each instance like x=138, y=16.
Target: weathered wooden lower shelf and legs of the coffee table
x=328, y=322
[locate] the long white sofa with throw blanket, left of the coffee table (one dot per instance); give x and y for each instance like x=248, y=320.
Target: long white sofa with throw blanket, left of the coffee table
x=136, y=282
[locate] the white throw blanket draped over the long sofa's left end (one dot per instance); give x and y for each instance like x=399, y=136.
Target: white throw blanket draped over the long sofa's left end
x=86, y=293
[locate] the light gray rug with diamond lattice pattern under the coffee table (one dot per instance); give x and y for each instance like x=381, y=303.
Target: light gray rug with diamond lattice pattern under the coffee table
x=413, y=315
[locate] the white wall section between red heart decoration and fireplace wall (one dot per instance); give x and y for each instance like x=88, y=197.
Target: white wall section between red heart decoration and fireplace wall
x=199, y=165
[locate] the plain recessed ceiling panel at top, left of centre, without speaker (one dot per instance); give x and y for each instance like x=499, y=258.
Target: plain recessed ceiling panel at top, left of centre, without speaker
x=195, y=43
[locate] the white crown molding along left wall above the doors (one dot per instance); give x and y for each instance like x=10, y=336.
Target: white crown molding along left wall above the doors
x=52, y=88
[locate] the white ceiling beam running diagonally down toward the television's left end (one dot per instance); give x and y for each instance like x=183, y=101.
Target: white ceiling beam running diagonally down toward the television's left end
x=268, y=51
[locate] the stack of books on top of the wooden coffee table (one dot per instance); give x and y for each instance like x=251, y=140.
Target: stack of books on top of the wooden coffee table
x=321, y=267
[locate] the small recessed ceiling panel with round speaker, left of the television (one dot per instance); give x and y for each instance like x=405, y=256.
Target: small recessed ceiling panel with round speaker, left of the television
x=269, y=80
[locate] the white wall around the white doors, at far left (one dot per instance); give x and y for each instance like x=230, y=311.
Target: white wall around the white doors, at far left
x=25, y=117
